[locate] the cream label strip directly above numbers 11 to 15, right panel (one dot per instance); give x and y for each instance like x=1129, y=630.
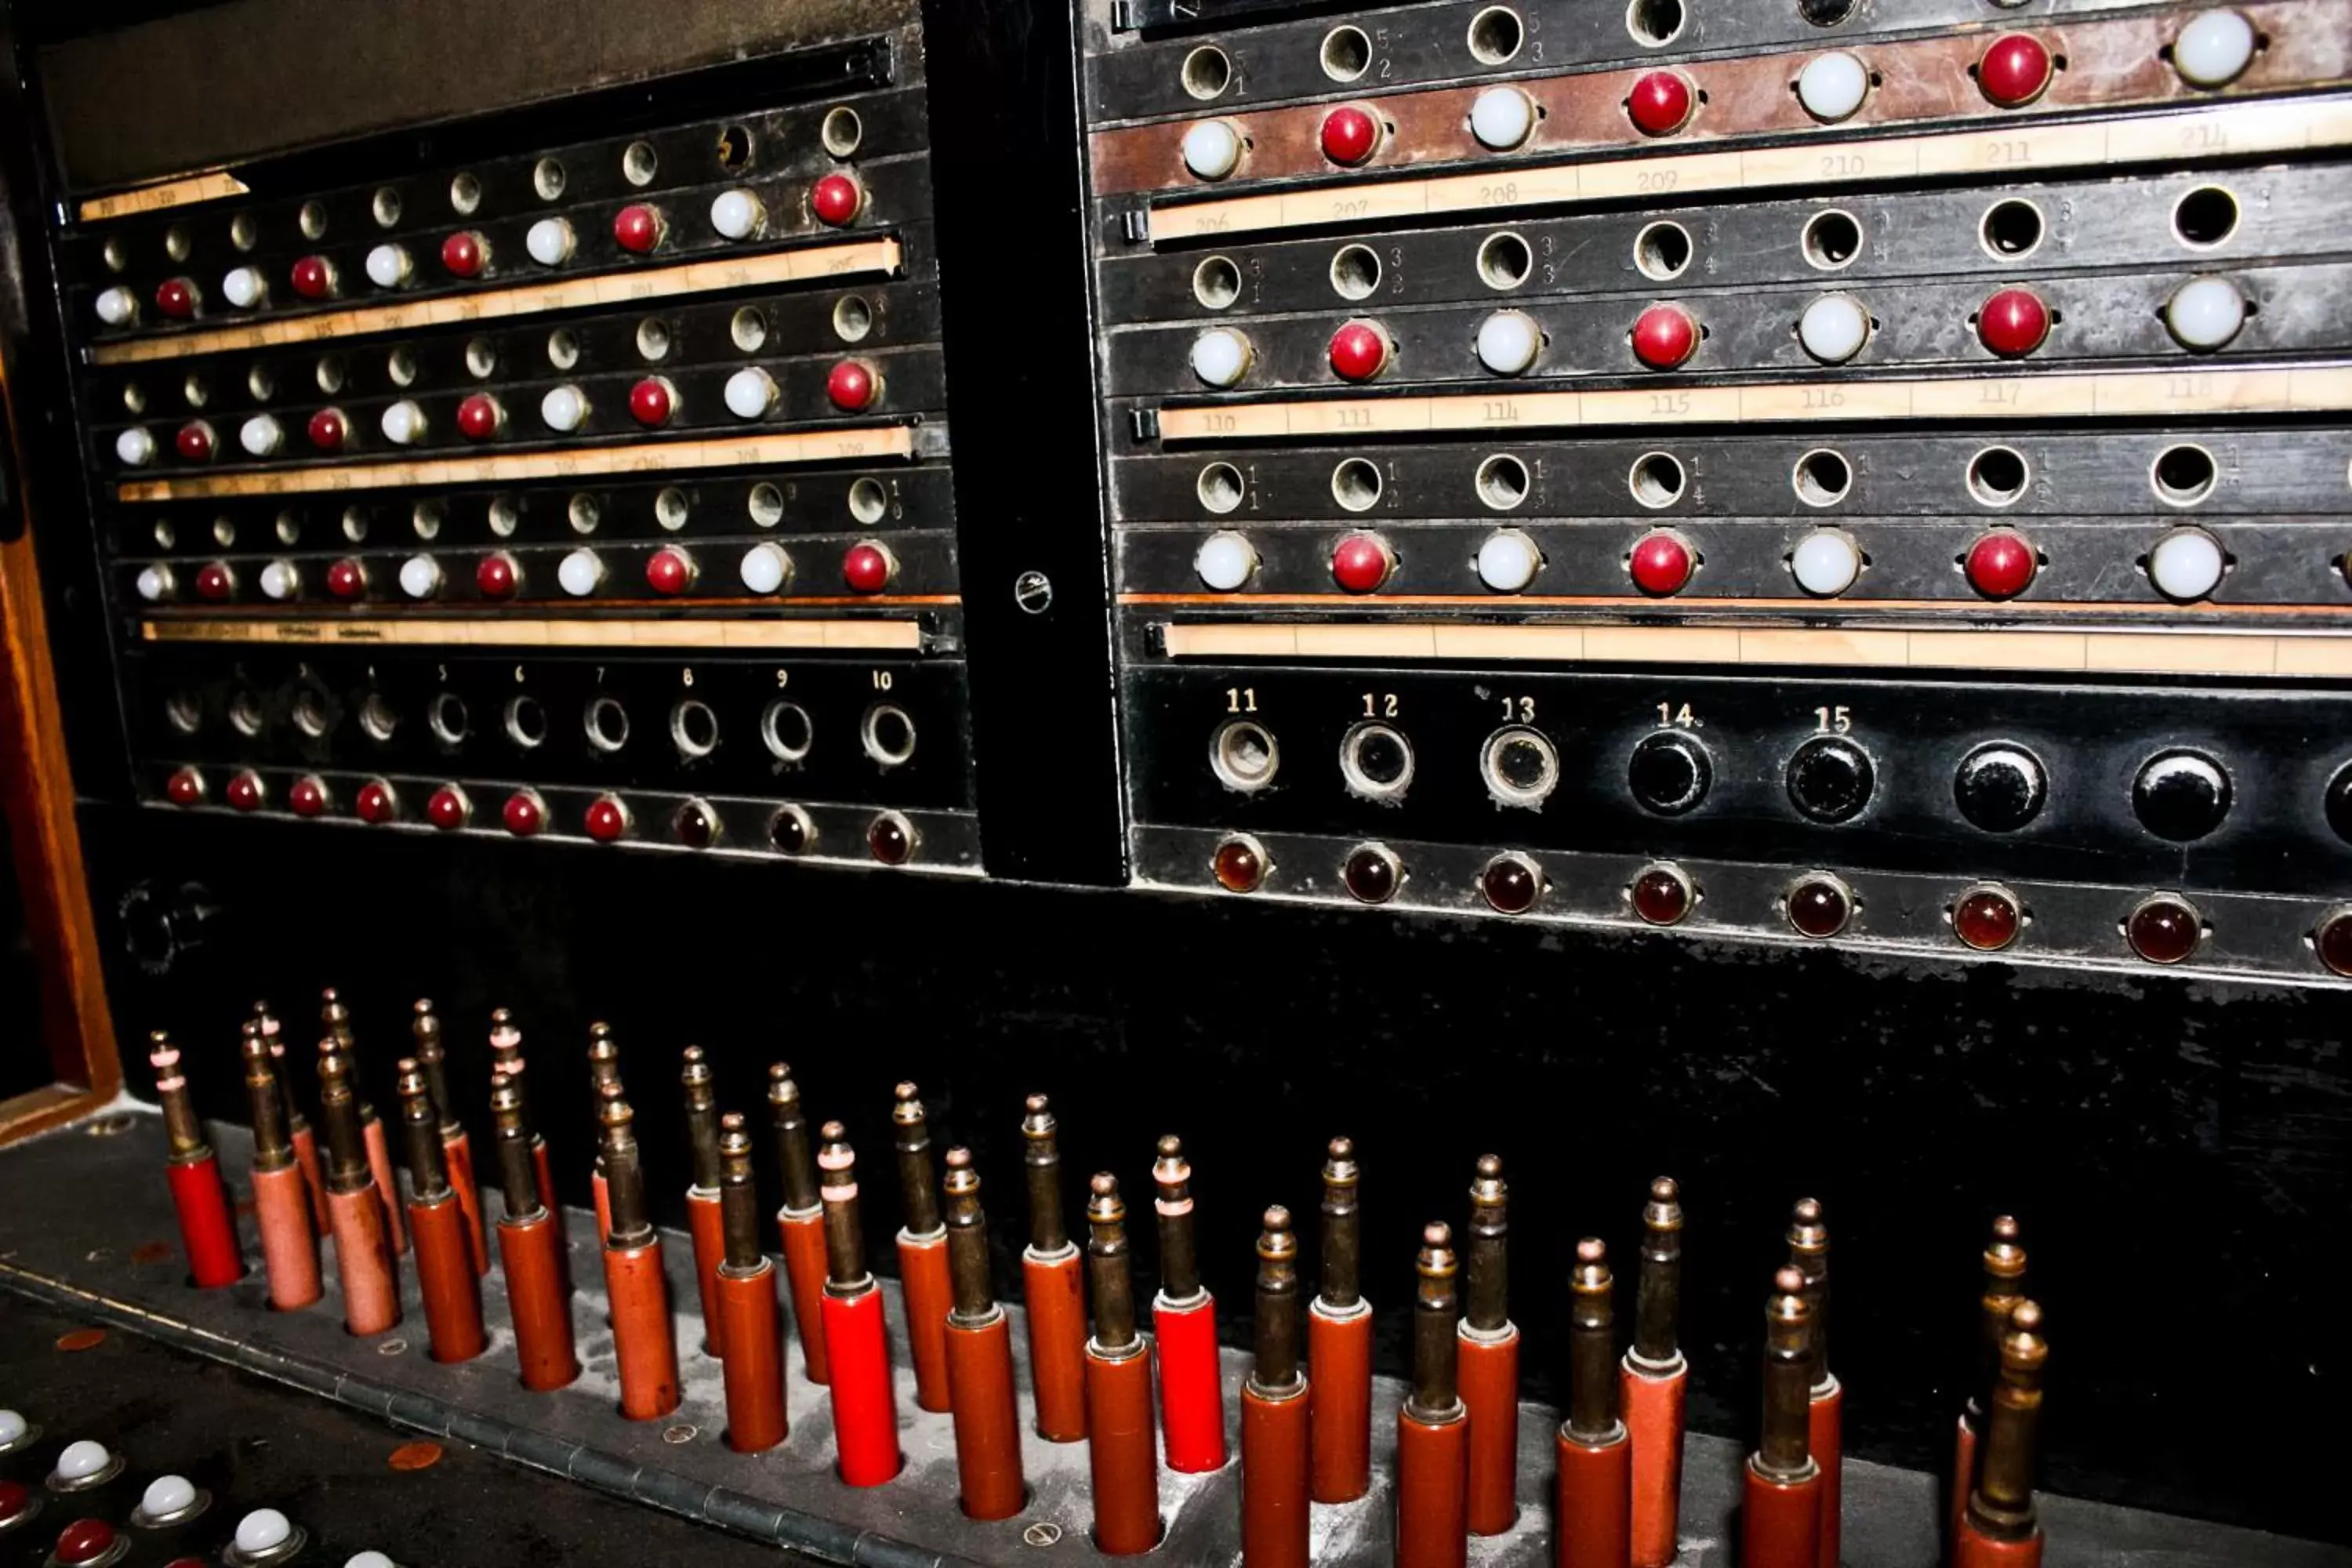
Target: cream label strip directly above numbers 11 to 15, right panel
x=1779, y=648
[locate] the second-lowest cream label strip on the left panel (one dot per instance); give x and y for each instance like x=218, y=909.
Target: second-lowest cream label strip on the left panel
x=857, y=445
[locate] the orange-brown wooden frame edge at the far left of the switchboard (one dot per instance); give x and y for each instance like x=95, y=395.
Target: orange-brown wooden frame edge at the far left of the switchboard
x=36, y=796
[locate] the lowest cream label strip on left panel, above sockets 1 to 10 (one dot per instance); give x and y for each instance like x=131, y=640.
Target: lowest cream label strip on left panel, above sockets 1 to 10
x=556, y=634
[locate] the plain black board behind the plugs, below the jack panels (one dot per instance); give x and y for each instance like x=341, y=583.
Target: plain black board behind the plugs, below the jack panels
x=2174, y=1151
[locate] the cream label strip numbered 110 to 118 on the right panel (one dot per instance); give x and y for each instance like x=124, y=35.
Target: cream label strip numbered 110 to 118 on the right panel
x=2106, y=396
